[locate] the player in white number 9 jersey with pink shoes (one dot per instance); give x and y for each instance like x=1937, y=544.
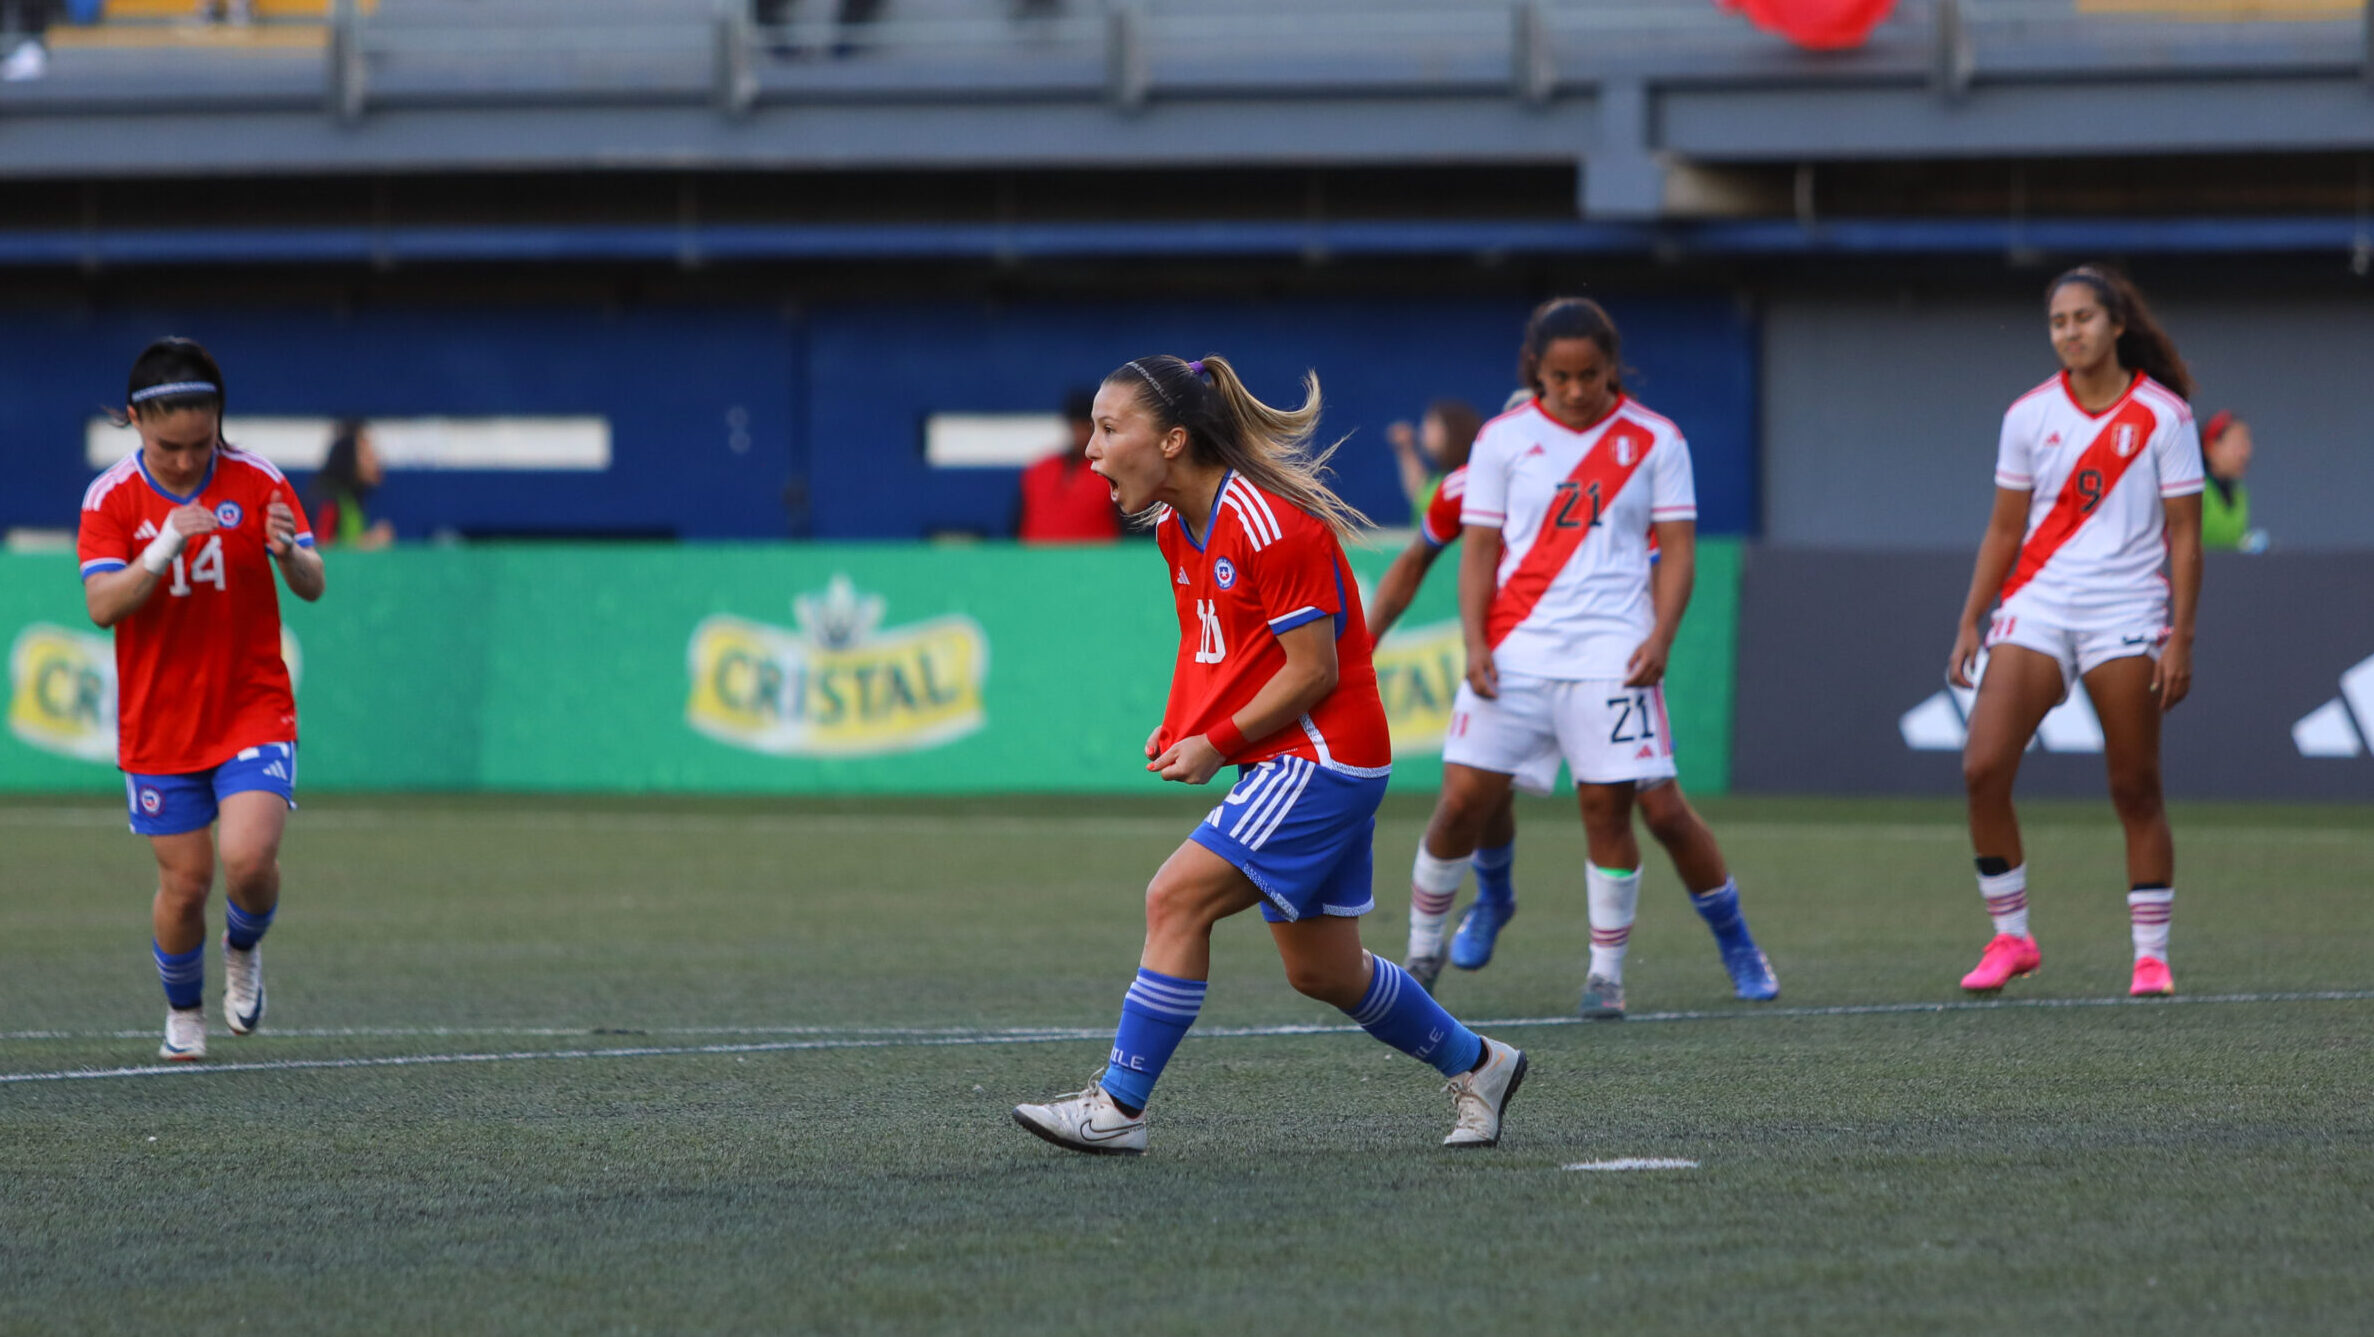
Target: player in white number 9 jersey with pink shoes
x=2097, y=486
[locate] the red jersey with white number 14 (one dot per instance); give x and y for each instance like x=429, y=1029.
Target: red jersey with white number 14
x=198, y=666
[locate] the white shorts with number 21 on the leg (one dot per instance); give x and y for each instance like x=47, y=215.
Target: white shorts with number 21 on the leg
x=1604, y=730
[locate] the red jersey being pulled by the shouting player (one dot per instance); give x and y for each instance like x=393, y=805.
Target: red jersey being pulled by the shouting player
x=1264, y=569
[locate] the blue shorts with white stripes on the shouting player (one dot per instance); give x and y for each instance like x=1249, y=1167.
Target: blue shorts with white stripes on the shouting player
x=1302, y=835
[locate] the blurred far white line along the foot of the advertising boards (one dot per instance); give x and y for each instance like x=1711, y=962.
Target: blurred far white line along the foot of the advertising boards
x=1024, y=825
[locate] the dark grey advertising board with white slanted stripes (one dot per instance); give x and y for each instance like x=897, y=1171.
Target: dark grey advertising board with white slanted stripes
x=1843, y=680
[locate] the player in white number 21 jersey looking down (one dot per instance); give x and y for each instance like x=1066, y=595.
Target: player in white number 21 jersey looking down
x=1568, y=633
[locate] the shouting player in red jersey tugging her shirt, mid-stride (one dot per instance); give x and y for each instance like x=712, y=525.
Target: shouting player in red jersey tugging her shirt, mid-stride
x=1274, y=676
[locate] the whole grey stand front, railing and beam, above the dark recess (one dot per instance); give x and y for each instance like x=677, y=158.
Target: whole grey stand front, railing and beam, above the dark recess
x=1625, y=87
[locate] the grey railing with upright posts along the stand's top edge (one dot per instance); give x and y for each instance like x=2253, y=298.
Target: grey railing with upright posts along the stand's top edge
x=452, y=53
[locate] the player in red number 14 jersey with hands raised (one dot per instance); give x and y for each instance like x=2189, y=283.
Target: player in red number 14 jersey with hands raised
x=179, y=545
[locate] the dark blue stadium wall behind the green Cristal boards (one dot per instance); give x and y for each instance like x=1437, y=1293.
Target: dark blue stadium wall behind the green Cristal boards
x=761, y=424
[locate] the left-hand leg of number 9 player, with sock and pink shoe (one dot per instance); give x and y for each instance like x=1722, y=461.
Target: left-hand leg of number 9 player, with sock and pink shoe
x=2019, y=690
